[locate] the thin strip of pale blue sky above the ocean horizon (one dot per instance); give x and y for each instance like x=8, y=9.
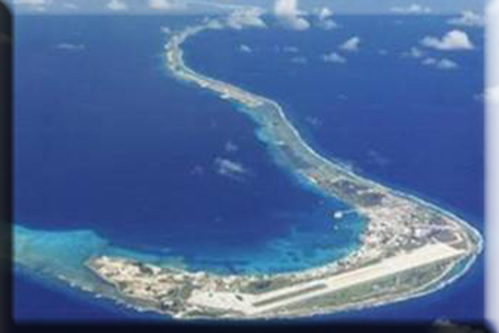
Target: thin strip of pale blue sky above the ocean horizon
x=401, y=7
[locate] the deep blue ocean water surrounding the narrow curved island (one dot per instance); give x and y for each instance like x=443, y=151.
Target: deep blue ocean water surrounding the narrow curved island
x=106, y=140
